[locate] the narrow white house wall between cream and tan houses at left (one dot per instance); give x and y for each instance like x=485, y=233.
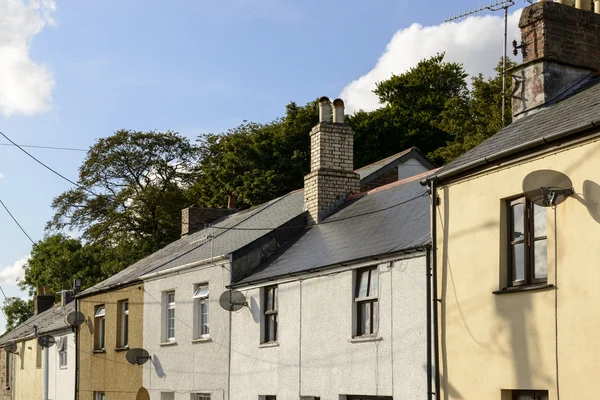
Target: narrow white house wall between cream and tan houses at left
x=61, y=381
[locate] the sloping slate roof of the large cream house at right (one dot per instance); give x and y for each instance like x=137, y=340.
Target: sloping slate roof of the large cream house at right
x=578, y=107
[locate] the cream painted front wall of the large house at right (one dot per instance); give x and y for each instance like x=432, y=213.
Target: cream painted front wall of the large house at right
x=493, y=342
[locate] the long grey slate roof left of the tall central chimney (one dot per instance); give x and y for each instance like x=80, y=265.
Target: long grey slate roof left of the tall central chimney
x=197, y=247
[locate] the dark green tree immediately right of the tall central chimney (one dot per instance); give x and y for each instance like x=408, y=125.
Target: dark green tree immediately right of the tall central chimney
x=414, y=102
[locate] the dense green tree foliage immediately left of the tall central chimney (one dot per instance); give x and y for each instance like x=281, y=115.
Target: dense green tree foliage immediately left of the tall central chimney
x=256, y=162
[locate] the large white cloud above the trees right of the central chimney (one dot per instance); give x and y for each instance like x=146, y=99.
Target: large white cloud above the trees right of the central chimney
x=476, y=42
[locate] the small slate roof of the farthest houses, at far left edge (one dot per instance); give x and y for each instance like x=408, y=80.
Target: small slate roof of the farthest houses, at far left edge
x=49, y=321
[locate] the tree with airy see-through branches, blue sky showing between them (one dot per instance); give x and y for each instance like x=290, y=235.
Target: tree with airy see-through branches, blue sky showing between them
x=131, y=189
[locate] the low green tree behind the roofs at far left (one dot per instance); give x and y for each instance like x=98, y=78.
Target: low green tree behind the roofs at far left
x=58, y=259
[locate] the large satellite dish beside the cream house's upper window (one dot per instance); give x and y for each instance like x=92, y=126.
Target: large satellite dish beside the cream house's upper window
x=547, y=188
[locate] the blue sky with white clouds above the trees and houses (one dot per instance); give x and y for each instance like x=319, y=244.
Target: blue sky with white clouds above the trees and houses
x=74, y=71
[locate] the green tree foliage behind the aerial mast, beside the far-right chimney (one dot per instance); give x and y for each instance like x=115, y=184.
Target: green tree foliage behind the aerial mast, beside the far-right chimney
x=474, y=116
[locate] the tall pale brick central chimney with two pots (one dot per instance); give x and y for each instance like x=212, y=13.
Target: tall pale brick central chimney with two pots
x=331, y=176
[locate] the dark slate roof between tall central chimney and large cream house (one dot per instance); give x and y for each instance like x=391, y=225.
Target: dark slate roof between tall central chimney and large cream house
x=385, y=220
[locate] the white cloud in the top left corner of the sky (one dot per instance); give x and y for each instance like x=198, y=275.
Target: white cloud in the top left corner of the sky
x=27, y=86
